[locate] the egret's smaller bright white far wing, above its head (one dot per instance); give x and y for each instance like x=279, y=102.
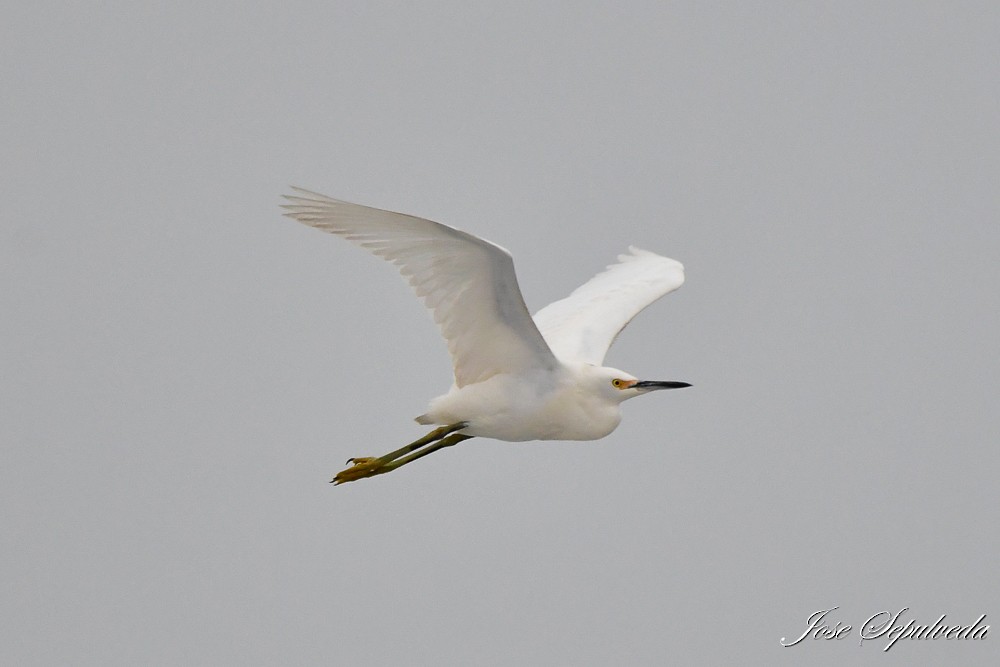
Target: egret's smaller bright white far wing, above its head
x=583, y=326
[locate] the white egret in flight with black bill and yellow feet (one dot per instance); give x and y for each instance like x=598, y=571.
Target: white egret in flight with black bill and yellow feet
x=516, y=377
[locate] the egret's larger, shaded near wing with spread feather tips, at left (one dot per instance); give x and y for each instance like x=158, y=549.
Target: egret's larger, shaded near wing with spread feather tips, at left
x=467, y=283
